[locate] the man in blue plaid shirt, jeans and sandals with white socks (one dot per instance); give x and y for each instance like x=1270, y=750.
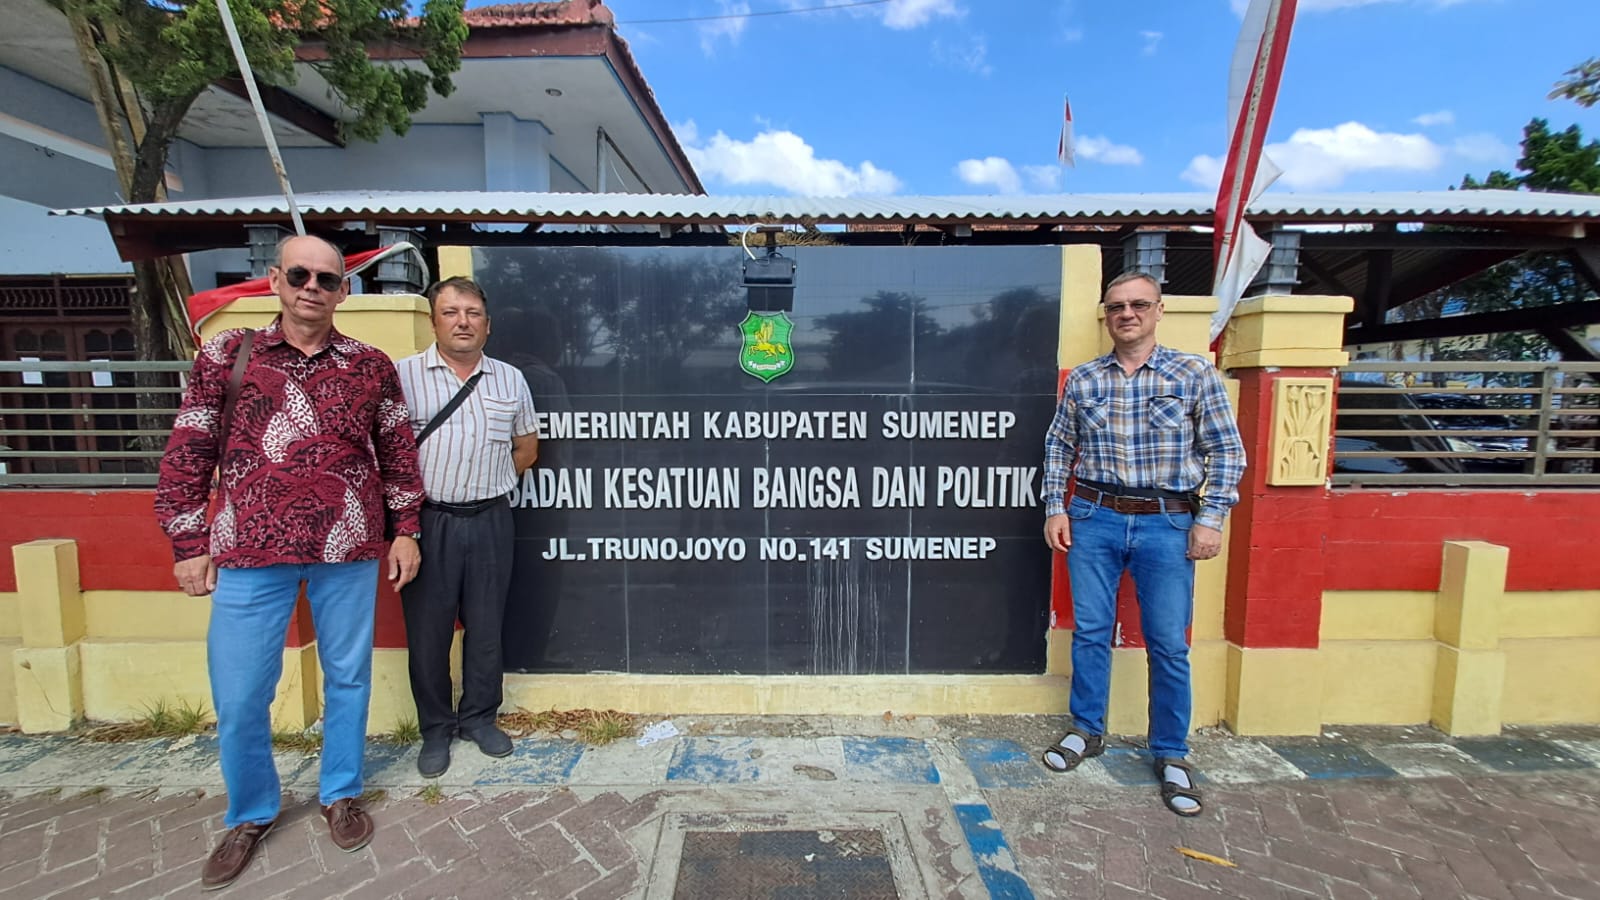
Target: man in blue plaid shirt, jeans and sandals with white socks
x=1148, y=438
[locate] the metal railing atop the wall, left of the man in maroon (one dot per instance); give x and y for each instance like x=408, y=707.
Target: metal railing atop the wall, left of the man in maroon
x=86, y=424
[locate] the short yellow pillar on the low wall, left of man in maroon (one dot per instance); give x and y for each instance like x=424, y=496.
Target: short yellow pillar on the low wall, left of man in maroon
x=47, y=669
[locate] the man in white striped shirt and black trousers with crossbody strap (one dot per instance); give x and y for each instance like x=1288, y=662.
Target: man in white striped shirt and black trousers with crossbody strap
x=470, y=464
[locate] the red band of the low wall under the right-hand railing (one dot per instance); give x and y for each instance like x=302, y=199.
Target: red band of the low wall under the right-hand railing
x=1391, y=540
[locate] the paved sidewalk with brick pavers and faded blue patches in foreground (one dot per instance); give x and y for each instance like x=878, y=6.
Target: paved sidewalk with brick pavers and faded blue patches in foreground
x=796, y=808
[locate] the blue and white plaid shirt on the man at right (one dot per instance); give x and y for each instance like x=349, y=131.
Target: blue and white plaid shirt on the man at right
x=1166, y=427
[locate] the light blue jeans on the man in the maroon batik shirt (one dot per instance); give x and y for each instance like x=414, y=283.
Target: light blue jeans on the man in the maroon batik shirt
x=250, y=619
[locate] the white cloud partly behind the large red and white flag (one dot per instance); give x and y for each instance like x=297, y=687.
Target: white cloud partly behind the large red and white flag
x=1316, y=159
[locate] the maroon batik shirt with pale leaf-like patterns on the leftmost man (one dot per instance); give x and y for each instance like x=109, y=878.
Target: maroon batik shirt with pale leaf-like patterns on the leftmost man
x=319, y=467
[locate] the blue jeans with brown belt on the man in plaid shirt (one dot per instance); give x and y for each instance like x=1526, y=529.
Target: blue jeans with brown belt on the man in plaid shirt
x=1154, y=550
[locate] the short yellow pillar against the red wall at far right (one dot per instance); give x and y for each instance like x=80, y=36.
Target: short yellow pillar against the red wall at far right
x=1470, y=680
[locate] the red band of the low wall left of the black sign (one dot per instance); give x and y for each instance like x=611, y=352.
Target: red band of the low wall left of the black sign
x=121, y=548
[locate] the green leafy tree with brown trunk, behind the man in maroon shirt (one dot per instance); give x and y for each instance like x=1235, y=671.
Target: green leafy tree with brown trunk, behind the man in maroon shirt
x=150, y=60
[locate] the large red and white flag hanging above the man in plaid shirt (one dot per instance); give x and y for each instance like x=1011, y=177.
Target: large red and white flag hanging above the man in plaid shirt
x=1252, y=92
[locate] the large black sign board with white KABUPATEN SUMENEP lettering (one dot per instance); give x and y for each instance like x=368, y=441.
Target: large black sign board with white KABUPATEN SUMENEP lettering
x=873, y=510
